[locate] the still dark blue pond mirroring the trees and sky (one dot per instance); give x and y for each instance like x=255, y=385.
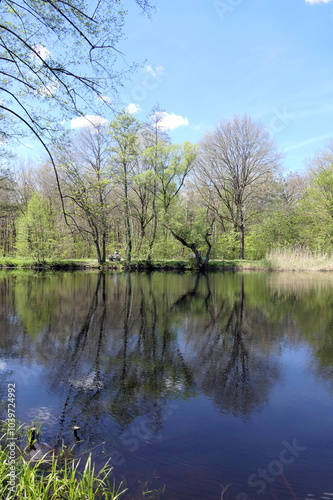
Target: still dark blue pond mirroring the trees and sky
x=191, y=384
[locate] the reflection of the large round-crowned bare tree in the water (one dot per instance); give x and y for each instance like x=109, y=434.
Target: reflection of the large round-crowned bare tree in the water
x=234, y=366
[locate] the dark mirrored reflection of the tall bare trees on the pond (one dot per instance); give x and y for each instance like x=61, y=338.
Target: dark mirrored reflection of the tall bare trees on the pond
x=113, y=347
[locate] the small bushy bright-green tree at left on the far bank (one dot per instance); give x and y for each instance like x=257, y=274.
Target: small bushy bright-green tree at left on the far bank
x=35, y=230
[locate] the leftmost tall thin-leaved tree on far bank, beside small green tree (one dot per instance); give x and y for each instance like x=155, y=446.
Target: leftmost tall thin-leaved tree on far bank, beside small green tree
x=83, y=171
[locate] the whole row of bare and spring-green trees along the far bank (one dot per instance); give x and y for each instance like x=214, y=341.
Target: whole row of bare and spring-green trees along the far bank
x=125, y=186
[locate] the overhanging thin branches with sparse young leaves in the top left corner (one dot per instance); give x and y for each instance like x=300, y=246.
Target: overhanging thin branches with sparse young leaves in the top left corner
x=57, y=57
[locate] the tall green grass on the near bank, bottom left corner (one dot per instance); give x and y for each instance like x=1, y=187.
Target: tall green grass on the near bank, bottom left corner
x=52, y=476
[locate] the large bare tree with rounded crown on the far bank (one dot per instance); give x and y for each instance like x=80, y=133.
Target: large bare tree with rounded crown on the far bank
x=234, y=165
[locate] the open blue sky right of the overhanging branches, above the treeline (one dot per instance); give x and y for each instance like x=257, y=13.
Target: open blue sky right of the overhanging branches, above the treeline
x=204, y=61
